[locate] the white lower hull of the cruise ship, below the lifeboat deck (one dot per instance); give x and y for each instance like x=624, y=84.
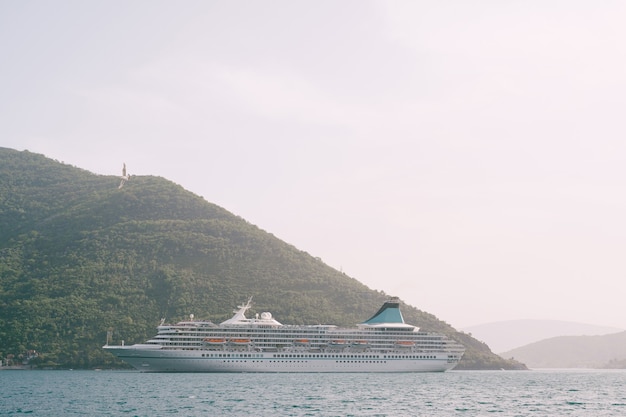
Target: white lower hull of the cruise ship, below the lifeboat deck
x=157, y=360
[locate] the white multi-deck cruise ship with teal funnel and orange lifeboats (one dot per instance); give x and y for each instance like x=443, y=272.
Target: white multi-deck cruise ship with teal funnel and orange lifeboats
x=384, y=343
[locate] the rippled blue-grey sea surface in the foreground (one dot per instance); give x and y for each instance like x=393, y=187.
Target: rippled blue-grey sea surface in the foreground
x=457, y=393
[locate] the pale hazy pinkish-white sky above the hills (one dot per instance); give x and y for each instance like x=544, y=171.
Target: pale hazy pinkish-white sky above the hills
x=468, y=157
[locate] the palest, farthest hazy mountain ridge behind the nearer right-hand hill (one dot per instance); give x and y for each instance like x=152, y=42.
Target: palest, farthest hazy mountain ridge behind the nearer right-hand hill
x=503, y=336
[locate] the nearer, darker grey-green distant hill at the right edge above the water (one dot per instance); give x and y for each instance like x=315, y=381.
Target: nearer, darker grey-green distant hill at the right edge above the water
x=606, y=351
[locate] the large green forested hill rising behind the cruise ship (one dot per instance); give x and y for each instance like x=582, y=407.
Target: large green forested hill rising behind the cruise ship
x=79, y=256
